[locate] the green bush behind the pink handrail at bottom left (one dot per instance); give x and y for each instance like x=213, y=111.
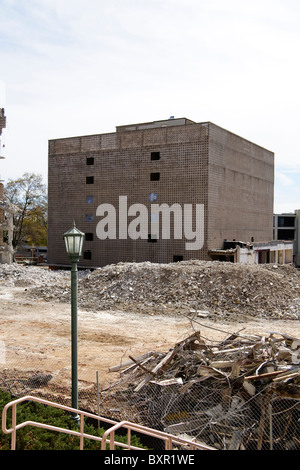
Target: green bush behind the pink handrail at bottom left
x=33, y=438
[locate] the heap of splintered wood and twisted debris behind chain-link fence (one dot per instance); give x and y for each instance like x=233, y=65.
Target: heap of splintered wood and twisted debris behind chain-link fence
x=243, y=393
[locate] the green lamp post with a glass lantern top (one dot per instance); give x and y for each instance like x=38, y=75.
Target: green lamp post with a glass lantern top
x=74, y=240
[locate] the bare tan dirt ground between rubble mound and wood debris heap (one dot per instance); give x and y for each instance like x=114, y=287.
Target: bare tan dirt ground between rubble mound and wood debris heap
x=36, y=335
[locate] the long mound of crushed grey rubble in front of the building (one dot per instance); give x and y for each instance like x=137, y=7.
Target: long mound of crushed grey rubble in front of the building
x=201, y=288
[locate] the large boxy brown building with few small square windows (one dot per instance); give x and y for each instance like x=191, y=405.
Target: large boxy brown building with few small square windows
x=174, y=190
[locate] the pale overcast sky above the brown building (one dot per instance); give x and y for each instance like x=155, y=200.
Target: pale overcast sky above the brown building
x=78, y=67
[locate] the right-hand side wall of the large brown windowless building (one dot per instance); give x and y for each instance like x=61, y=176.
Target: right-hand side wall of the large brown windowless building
x=240, y=188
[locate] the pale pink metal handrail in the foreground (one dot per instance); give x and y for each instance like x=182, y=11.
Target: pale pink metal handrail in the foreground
x=169, y=440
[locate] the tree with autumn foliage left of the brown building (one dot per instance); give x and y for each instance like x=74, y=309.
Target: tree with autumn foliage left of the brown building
x=30, y=195
